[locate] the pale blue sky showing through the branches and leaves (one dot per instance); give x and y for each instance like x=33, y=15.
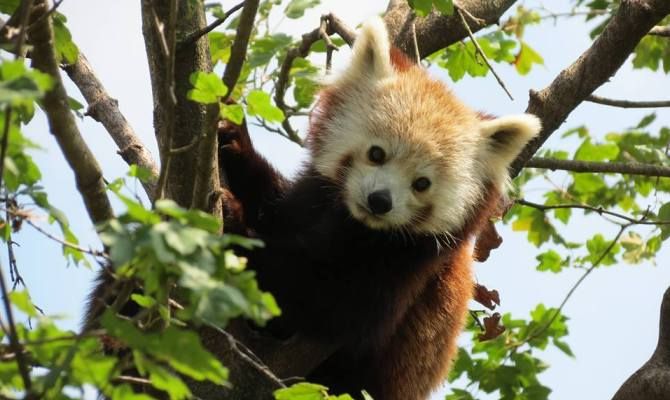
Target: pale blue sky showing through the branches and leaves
x=613, y=315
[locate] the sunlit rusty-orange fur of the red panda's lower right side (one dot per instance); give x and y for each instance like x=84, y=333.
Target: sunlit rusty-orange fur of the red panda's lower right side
x=418, y=357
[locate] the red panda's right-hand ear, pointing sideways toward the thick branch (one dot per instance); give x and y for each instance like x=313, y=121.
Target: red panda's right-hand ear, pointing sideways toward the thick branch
x=505, y=137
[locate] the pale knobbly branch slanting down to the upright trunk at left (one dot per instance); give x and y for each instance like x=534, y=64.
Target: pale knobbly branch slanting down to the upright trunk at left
x=105, y=109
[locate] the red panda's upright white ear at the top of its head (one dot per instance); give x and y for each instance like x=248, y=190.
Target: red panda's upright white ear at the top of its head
x=371, y=60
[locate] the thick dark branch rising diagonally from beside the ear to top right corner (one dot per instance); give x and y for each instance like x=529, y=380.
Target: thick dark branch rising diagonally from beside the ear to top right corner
x=594, y=67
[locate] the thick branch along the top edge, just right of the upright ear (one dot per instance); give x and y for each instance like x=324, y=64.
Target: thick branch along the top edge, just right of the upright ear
x=438, y=31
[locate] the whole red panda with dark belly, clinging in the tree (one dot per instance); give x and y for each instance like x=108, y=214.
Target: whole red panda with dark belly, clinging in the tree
x=370, y=245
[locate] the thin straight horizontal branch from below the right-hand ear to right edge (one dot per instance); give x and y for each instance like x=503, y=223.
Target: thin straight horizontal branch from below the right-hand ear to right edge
x=592, y=166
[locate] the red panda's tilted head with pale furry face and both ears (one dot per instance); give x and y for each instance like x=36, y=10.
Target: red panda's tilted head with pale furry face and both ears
x=406, y=153
